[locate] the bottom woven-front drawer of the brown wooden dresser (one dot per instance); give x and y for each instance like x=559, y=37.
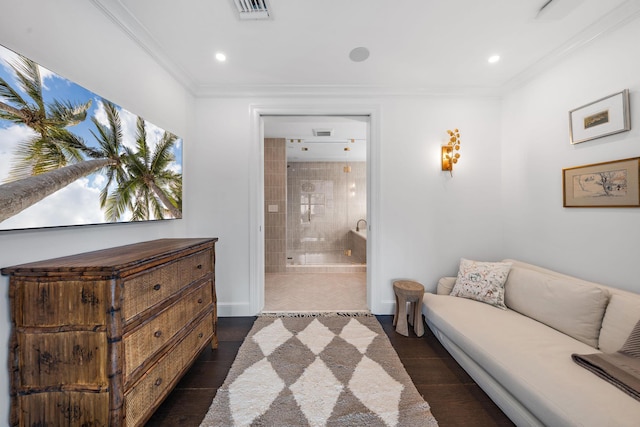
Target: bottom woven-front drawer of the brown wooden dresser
x=158, y=381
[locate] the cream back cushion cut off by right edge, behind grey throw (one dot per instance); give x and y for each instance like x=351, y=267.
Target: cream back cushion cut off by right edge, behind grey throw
x=622, y=313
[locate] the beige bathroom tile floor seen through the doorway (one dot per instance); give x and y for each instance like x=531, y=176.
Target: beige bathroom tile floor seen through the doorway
x=293, y=292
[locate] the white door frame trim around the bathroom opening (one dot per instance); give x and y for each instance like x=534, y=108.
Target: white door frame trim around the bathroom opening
x=256, y=192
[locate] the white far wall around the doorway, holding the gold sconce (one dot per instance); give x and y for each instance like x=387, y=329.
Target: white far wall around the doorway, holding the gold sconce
x=428, y=220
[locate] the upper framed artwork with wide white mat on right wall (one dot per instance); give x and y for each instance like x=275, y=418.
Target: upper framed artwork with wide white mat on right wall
x=606, y=116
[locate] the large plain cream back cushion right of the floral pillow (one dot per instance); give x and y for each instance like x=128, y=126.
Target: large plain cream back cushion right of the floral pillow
x=575, y=308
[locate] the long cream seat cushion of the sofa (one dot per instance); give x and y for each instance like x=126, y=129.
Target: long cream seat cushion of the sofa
x=532, y=362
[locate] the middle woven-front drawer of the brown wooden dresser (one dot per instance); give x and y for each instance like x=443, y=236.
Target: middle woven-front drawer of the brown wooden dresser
x=144, y=341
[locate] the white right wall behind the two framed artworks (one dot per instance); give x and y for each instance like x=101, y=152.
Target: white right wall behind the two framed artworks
x=598, y=244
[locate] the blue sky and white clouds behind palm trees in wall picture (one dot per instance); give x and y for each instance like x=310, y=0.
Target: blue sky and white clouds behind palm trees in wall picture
x=73, y=204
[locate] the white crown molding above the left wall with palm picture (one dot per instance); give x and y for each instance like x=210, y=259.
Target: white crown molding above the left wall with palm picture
x=133, y=28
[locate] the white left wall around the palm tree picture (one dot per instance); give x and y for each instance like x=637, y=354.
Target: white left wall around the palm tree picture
x=76, y=41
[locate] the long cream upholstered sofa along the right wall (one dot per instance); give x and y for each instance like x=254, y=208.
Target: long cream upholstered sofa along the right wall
x=521, y=356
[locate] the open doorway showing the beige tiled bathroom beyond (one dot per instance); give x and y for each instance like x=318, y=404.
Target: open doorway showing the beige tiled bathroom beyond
x=315, y=212
